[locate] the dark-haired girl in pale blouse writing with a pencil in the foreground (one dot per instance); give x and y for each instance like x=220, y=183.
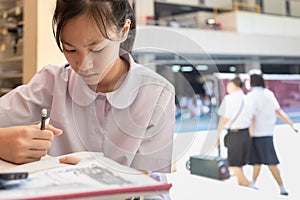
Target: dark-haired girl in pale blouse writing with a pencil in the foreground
x=101, y=100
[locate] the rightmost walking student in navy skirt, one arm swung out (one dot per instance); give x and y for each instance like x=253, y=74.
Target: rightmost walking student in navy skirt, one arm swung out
x=265, y=109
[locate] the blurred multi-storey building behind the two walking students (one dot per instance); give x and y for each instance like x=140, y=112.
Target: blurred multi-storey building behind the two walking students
x=201, y=44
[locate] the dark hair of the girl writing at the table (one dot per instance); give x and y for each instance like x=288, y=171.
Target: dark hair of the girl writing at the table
x=103, y=13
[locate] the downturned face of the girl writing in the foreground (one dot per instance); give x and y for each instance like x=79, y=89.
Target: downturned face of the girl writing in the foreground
x=89, y=54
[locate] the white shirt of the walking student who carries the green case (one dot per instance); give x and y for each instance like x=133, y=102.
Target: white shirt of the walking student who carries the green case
x=230, y=107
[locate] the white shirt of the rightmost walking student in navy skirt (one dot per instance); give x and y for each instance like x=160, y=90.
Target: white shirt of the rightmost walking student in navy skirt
x=264, y=105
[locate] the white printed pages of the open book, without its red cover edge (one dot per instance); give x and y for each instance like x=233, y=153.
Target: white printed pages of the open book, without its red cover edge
x=93, y=173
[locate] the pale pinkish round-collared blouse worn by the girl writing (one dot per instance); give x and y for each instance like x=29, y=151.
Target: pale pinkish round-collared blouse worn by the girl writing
x=133, y=125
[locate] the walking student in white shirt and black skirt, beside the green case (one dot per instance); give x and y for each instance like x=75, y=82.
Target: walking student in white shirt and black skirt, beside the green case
x=236, y=118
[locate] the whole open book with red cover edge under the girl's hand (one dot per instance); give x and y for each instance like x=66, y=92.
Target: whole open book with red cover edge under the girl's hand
x=94, y=176
